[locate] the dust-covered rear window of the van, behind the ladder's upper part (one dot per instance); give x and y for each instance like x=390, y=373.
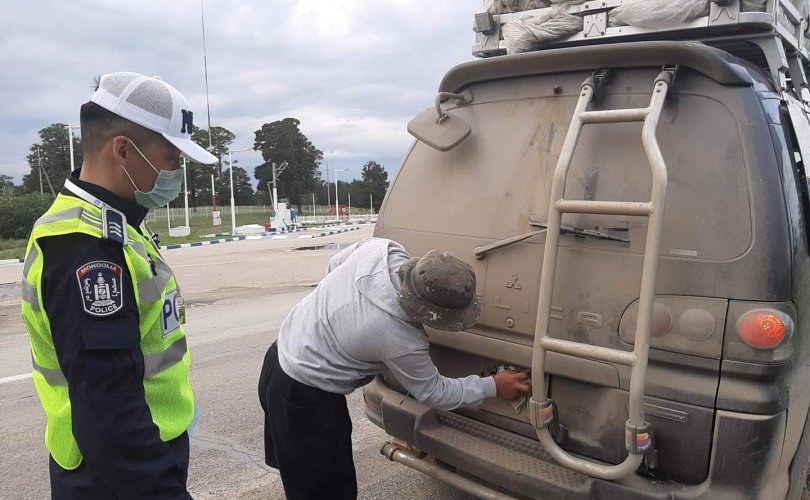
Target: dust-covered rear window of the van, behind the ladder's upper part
x=498, y=180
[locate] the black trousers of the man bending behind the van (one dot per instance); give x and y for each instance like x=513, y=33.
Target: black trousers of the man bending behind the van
x=307, y=436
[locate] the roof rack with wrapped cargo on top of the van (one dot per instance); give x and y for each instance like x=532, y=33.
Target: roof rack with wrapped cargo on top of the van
x=771, y=34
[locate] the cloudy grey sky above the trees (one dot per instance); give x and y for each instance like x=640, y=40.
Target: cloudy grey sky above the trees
x=353, y=72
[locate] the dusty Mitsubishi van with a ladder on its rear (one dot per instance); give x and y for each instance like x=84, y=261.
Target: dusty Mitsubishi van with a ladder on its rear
x=635, y=204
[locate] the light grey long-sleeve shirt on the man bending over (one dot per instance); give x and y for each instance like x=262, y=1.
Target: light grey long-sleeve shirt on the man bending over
x=351, y=328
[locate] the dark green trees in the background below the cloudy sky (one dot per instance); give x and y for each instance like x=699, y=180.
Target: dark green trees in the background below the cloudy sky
x=279, y=142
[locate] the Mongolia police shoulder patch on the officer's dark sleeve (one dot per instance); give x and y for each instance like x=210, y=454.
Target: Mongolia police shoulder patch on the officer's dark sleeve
x=100, y=287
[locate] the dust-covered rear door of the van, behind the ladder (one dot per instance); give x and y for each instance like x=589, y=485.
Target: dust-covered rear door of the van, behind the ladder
x=495, y=185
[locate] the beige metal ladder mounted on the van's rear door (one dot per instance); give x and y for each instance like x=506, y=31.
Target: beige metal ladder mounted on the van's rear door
x=638, y=433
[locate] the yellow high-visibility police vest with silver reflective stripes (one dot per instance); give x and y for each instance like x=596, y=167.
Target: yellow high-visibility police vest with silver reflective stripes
x=161, y=318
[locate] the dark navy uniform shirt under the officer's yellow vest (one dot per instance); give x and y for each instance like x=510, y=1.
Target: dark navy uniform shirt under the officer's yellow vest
x=104, y=366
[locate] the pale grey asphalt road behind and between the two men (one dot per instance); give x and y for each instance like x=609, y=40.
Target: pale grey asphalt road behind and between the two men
x=238, y=295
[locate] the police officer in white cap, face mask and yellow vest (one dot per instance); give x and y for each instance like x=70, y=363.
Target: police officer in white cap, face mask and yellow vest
x=102, y=308
